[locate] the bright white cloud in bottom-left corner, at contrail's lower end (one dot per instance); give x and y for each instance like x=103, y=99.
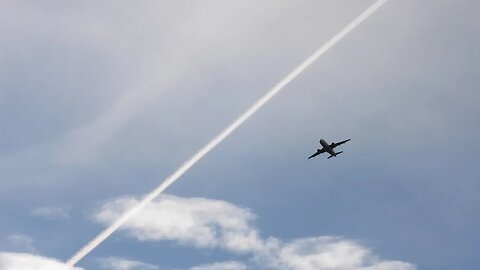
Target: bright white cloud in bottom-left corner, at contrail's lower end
x=24, y=261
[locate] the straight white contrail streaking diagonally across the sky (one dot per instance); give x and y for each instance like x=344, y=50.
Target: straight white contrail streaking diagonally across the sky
x=224, y=134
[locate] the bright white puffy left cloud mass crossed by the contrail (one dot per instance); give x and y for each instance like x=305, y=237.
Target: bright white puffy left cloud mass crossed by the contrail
x=196, y=221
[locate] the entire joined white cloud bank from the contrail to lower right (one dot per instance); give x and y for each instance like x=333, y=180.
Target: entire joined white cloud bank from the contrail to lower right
x=206, y=223
